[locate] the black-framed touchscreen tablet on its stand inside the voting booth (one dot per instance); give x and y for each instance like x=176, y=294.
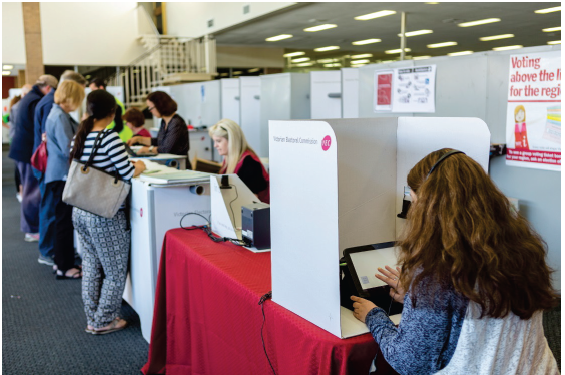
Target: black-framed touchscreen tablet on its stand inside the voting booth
x=359, y=276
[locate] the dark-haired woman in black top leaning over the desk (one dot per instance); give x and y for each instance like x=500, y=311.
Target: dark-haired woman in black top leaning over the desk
x=173, y=134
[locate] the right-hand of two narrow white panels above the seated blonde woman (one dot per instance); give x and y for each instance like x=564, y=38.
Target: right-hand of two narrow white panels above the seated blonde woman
x=250, y=110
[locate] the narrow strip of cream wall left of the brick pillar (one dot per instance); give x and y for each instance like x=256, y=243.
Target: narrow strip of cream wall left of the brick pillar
x=13, y=42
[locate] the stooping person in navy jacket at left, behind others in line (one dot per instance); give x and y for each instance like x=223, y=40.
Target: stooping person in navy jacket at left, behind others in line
x=21, y=150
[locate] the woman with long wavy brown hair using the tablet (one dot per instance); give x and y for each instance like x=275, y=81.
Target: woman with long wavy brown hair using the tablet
x=475, y=275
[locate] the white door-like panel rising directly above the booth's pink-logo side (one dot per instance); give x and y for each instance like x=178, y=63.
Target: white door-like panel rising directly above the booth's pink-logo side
x=325, y=94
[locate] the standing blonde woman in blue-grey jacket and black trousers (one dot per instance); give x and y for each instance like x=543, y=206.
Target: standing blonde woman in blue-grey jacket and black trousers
x=60, y=129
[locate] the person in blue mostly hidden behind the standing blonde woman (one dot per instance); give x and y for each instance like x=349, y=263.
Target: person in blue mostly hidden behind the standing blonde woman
x=46, y=206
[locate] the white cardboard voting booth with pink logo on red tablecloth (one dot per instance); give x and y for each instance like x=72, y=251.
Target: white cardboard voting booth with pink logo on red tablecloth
x=338, y=184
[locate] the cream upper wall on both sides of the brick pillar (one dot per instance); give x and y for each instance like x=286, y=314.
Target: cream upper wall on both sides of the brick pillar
x=76, y=33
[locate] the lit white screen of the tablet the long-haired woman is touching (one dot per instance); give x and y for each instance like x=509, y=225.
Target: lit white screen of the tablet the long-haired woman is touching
x=366, y=265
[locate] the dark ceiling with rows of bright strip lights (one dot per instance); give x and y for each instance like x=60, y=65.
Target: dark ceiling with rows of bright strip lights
x=517, y=18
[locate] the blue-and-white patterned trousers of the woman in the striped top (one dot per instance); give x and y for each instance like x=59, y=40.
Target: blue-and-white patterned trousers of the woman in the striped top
x=105, y=244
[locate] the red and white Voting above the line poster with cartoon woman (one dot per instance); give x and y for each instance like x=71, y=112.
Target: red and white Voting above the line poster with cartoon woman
x=533, y=116
